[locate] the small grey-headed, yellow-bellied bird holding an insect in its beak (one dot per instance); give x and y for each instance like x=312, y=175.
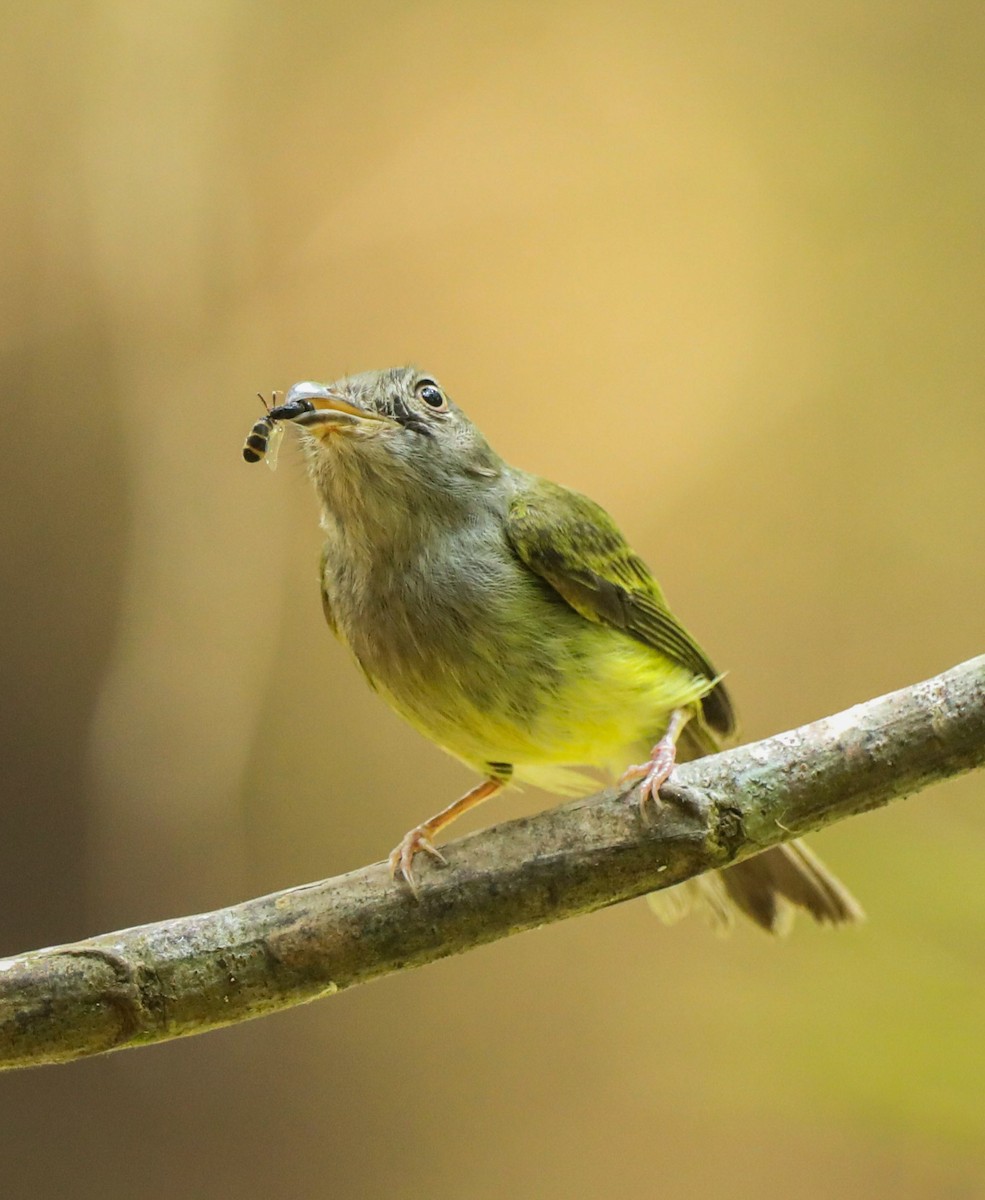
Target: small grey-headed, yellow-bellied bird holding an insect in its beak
x=508, y=620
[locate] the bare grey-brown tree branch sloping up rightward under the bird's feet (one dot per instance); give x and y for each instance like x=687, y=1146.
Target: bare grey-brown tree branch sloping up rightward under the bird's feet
x=196, y=974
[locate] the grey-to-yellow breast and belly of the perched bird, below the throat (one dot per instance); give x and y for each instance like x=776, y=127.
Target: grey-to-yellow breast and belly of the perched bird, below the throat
x=485, y=658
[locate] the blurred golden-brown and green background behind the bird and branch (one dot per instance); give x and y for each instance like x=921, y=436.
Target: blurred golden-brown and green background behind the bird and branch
x=723, y=268
